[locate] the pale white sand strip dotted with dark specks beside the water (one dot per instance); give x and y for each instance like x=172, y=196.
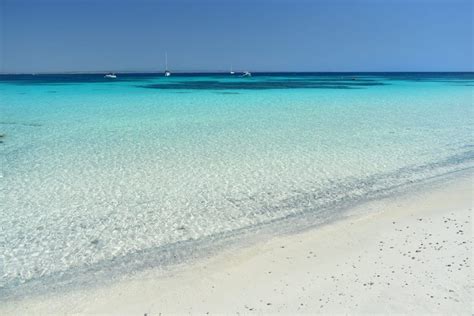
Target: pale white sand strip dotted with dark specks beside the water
x=412, y=254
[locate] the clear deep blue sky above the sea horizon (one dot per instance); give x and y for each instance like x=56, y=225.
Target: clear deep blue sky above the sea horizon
x=265, y=35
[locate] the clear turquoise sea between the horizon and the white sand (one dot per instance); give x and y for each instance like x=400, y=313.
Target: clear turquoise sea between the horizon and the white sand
x=95, y=171
